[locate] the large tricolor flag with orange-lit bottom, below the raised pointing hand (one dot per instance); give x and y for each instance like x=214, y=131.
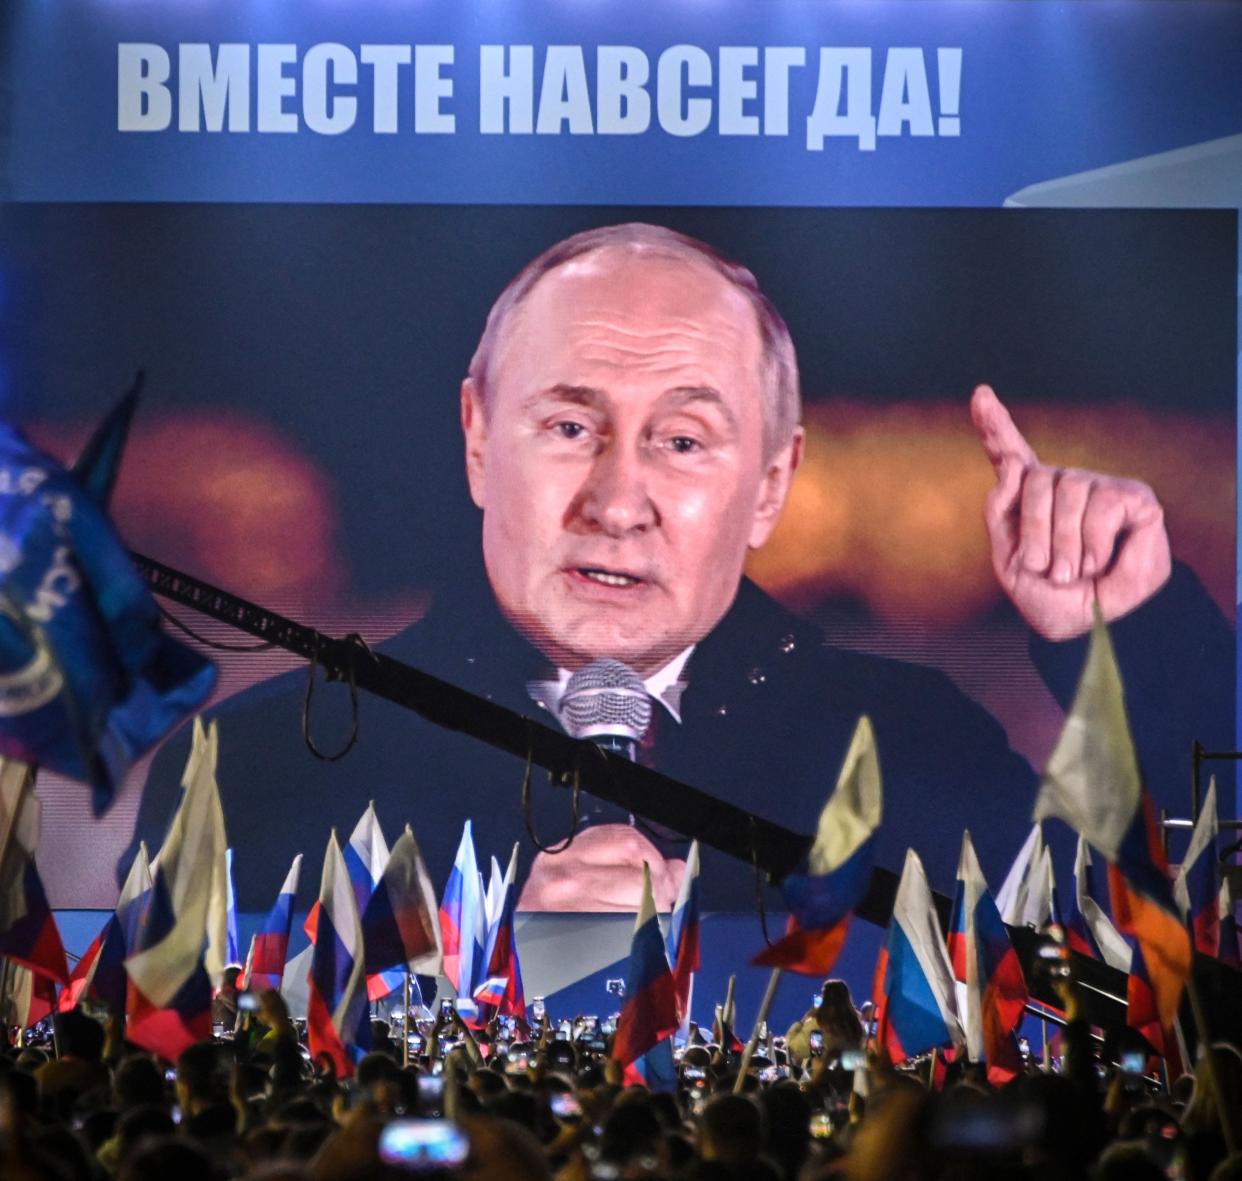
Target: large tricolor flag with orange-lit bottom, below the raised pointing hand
x=1092, y=782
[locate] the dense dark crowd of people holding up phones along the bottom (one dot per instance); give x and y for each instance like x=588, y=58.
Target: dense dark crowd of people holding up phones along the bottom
x=524, y=1103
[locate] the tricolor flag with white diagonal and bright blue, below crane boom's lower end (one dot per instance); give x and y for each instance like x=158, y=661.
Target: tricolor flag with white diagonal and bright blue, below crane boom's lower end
x=913, y=988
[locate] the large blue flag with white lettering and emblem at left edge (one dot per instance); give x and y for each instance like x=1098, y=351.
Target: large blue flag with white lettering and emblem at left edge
x=89, y=682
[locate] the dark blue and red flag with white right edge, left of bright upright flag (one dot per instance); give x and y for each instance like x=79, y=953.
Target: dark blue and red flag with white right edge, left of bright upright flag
x=401, y=927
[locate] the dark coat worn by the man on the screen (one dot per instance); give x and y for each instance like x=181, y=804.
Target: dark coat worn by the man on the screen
x=767, y=718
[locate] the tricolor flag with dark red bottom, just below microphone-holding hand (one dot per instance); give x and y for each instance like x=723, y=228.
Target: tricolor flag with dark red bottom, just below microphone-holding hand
x=649, y=1015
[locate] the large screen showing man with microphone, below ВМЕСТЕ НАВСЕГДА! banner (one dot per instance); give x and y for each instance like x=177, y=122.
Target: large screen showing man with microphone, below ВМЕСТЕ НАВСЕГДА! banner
x=301, y=444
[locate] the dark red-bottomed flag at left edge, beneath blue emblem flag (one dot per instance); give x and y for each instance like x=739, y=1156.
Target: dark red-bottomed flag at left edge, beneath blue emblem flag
x=28, y=931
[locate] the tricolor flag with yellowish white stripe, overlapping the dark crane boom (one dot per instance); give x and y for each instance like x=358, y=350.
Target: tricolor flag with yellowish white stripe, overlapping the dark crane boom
x=839, y=866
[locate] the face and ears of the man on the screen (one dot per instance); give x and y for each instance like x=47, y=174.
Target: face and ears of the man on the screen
x=620, y=459
